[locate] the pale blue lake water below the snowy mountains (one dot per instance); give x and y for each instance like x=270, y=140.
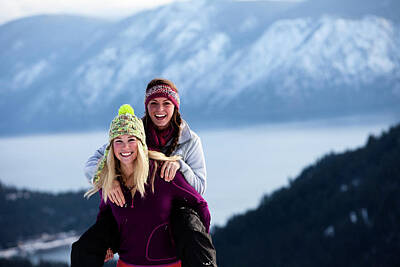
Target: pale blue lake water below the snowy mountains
x=242, y=164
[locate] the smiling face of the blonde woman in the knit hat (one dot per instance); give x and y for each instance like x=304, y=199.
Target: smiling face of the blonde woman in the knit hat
x=125, y=148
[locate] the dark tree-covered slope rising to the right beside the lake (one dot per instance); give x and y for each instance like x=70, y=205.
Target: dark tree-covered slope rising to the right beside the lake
x=344, y=210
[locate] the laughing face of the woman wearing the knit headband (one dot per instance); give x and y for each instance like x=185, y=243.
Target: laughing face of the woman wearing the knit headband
x=160, y=110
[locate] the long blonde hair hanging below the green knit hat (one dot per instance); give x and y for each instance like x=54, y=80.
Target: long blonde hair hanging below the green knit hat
x=140, y=172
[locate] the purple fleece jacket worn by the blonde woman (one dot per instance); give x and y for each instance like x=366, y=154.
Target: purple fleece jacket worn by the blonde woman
x=145, y=237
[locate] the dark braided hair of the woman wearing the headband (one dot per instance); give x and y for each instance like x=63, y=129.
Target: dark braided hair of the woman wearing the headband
x=176, y=119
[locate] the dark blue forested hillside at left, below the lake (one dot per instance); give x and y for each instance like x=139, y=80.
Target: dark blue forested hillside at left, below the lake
x=28, y=214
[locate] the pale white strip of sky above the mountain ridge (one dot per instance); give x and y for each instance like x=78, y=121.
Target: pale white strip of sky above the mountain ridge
x=112, y=9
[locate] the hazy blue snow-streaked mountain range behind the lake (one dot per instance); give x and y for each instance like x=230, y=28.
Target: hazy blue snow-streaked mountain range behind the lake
x=258, y=60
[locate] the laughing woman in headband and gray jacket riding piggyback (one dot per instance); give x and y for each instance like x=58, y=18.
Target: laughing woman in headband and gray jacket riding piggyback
x=167, y=132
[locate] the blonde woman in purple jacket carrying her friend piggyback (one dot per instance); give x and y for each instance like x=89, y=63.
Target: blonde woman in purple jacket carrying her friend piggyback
x=143, y=223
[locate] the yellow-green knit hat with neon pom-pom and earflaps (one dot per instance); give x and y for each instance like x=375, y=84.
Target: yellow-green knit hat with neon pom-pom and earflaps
x=125, y=123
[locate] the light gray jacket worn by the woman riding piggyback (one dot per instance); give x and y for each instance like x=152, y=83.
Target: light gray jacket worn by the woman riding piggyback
x=193, y=166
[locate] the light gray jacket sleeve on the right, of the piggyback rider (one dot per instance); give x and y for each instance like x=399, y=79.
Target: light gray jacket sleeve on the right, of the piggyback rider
x=193, y=166
